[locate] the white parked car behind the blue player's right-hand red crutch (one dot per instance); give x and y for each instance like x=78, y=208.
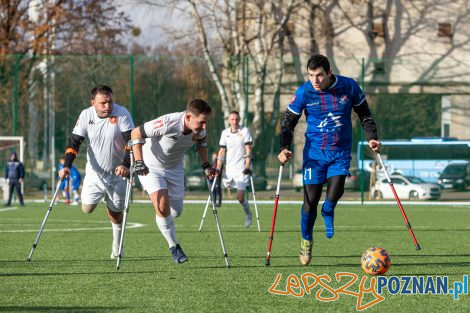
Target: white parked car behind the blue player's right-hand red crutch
x=407, y=187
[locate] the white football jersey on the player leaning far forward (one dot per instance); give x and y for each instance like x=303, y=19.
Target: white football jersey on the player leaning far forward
x=166, y=145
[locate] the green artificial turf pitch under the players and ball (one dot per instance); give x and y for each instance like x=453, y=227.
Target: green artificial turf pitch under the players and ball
x=71, y=270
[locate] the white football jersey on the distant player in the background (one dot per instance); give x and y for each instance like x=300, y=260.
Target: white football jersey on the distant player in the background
x=235, y=147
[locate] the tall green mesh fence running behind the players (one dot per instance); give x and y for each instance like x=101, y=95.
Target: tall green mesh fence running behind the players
x=42, y=96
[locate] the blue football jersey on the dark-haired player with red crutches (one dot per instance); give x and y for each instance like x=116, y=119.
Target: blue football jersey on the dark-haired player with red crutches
x=328, y=112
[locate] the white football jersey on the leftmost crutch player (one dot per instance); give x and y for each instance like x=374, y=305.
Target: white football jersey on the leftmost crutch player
x=105, y=141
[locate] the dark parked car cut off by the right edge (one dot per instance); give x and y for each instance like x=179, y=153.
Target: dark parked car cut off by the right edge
x=455, y=175
